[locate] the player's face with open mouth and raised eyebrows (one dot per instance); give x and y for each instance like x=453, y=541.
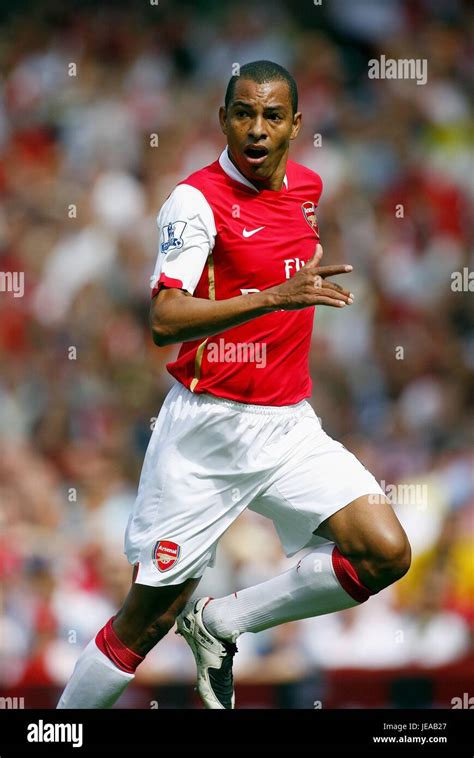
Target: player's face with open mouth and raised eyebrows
x=259, y=125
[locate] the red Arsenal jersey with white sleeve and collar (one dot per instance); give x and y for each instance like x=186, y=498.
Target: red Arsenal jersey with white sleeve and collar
x=222, y=237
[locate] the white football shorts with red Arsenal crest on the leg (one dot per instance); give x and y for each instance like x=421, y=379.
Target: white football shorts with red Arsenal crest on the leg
x=208, y=459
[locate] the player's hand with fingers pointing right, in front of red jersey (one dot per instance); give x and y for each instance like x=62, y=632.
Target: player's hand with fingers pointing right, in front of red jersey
x=309, y=286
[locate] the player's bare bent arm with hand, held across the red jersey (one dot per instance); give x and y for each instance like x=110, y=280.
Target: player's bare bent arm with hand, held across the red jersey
x=175, y=316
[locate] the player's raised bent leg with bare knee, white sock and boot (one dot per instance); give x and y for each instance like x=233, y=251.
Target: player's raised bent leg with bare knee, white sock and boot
x=371, y=551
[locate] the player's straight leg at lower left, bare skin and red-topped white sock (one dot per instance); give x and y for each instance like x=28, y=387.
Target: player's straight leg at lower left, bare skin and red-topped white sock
x=107, y=665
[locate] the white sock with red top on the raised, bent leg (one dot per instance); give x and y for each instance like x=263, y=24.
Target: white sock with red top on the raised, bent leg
x=309, y=589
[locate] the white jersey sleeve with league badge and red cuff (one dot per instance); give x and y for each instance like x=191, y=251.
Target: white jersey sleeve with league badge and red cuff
x=187, y=236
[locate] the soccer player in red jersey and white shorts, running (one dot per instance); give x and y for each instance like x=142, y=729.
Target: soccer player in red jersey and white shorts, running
x=237, y=279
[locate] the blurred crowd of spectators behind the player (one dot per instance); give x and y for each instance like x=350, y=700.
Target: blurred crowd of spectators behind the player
x=84, y=89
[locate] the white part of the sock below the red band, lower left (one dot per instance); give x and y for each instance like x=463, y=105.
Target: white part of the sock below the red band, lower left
x=95, y=682
